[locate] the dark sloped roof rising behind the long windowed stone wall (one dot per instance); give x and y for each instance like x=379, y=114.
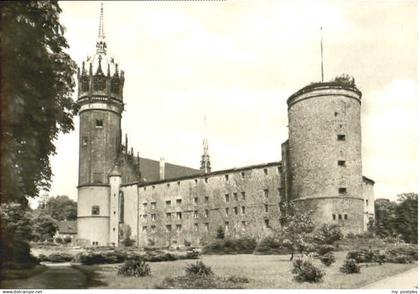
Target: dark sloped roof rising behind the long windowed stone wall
x=150, y=170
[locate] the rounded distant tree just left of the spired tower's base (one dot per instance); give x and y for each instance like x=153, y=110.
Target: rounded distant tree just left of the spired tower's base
x=61, y=208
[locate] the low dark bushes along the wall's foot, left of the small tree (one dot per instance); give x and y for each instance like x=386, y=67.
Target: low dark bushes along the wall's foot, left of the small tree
x=230, y=246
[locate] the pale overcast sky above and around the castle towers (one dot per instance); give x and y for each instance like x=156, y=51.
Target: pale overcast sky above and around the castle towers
x=237, y=62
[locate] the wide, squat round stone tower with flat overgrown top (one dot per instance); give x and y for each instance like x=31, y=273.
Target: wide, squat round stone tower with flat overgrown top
x=325, y=164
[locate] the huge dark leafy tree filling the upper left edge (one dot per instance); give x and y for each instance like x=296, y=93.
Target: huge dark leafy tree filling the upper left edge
x=37, y=83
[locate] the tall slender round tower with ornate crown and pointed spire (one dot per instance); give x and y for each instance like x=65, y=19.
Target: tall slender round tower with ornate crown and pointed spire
x=100, y=101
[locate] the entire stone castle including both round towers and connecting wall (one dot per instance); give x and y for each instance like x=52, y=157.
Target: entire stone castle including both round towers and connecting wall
x=153, y=203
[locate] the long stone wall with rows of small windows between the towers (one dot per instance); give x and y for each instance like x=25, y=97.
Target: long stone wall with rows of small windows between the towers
x=244, y=202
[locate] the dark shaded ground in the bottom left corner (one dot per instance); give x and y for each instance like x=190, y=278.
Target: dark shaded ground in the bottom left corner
x=61, y=276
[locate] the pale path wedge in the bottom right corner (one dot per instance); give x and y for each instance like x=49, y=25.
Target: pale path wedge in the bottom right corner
x=405, y=280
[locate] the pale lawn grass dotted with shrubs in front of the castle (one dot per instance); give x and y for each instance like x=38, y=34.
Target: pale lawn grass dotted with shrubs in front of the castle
x=263, y=271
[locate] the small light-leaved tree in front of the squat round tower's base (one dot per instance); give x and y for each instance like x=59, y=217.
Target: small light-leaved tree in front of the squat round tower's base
x=297, y=227
